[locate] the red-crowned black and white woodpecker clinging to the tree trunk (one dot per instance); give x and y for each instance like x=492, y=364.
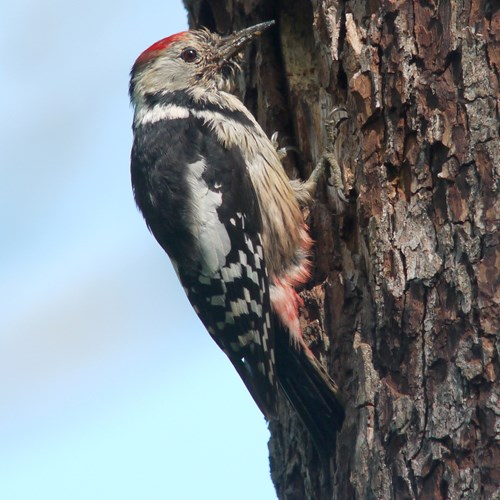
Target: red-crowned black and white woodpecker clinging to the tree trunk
x=213, y=192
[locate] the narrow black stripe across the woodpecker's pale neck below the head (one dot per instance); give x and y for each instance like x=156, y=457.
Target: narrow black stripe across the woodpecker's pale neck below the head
x=183, y=99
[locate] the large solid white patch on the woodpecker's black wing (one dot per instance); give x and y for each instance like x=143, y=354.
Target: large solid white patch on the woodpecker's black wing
x=209, y=231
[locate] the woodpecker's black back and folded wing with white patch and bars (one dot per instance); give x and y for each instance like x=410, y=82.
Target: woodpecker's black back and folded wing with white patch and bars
x=215, y=247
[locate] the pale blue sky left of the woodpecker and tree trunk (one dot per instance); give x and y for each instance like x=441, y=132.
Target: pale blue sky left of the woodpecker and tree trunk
x=110, y=388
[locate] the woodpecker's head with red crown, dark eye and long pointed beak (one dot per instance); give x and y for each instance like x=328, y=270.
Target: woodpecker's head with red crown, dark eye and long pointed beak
x=190, y=59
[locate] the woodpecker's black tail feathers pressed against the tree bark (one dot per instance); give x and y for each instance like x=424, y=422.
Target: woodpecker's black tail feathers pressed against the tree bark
x=310, y=390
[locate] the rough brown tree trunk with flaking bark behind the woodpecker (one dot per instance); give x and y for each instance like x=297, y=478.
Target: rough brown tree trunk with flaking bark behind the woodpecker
x=406, y=270
